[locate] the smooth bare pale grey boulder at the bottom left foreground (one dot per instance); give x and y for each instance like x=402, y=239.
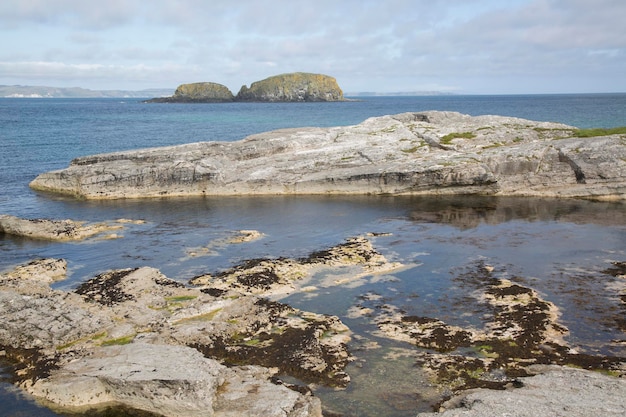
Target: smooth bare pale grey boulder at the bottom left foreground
x=167, y=380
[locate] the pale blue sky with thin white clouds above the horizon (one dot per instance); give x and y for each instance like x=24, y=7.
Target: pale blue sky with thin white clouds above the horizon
x=452, y=46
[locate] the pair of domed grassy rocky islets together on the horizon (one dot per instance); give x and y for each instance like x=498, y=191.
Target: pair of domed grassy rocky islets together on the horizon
x=293, y=87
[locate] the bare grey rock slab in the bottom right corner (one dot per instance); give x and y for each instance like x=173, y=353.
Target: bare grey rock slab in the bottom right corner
x=556, y=391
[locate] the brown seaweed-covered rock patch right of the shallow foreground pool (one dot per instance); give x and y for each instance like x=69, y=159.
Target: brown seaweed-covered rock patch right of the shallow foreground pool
x=520, y=330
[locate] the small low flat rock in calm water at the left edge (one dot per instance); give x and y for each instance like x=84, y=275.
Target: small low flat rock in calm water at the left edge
x=62, y=230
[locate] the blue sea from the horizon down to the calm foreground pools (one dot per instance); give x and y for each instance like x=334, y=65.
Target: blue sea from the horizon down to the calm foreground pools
x=561, y=248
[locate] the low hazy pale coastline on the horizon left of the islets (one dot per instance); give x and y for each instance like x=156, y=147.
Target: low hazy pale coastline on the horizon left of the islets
x=27, y=91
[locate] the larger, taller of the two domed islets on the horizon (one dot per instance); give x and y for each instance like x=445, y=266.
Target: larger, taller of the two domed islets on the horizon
x=299, y=86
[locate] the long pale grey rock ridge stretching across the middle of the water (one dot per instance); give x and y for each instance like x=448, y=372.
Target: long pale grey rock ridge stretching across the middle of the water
x=411, y=153
